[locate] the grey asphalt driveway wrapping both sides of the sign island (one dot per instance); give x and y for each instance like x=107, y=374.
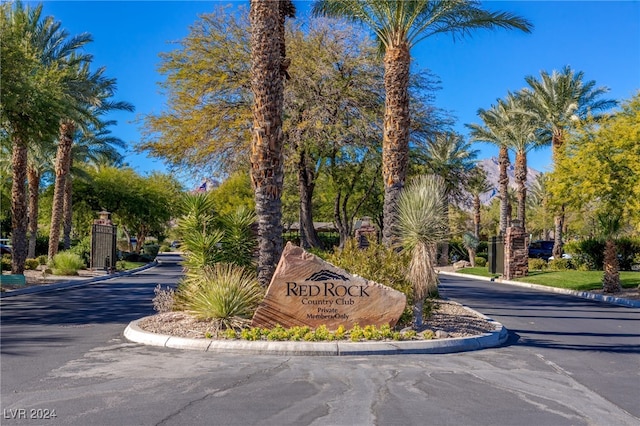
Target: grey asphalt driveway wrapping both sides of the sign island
x=568, y=362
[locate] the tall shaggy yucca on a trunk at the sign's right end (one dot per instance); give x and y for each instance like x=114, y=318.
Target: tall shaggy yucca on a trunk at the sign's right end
x=421, y=225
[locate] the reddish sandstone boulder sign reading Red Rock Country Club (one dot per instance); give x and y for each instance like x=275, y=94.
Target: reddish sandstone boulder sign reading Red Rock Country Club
x=306, y=290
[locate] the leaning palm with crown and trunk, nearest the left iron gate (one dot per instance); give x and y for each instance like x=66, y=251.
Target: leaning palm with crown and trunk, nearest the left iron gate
x=89, y=93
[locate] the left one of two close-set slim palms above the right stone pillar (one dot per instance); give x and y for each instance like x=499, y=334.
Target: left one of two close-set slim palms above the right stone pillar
x=494, y=131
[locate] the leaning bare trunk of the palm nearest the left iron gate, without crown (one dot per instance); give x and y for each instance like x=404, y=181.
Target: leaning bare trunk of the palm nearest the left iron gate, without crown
x=63, y=158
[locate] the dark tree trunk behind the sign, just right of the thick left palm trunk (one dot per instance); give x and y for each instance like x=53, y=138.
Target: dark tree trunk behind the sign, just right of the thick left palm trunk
x=306, y=184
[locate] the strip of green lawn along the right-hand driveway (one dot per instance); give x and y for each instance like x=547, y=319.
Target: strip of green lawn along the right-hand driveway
x=573, y=280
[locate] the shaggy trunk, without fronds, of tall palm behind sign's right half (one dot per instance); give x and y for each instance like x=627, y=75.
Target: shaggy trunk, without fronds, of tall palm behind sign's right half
x=395, y=140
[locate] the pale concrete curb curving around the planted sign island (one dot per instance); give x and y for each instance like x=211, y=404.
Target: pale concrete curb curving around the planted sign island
x=441, y=346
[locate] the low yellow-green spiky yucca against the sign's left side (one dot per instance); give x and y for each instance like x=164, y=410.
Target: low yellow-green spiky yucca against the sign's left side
x=224, y=292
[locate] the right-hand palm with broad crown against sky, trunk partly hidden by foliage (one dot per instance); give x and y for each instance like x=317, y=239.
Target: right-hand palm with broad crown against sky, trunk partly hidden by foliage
x=560, y=99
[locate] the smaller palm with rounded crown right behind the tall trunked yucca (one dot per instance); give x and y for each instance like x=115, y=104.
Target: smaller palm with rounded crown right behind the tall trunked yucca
x=449, y=156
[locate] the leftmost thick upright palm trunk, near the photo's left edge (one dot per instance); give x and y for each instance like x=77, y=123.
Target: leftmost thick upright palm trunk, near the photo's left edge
x=19, y=205
